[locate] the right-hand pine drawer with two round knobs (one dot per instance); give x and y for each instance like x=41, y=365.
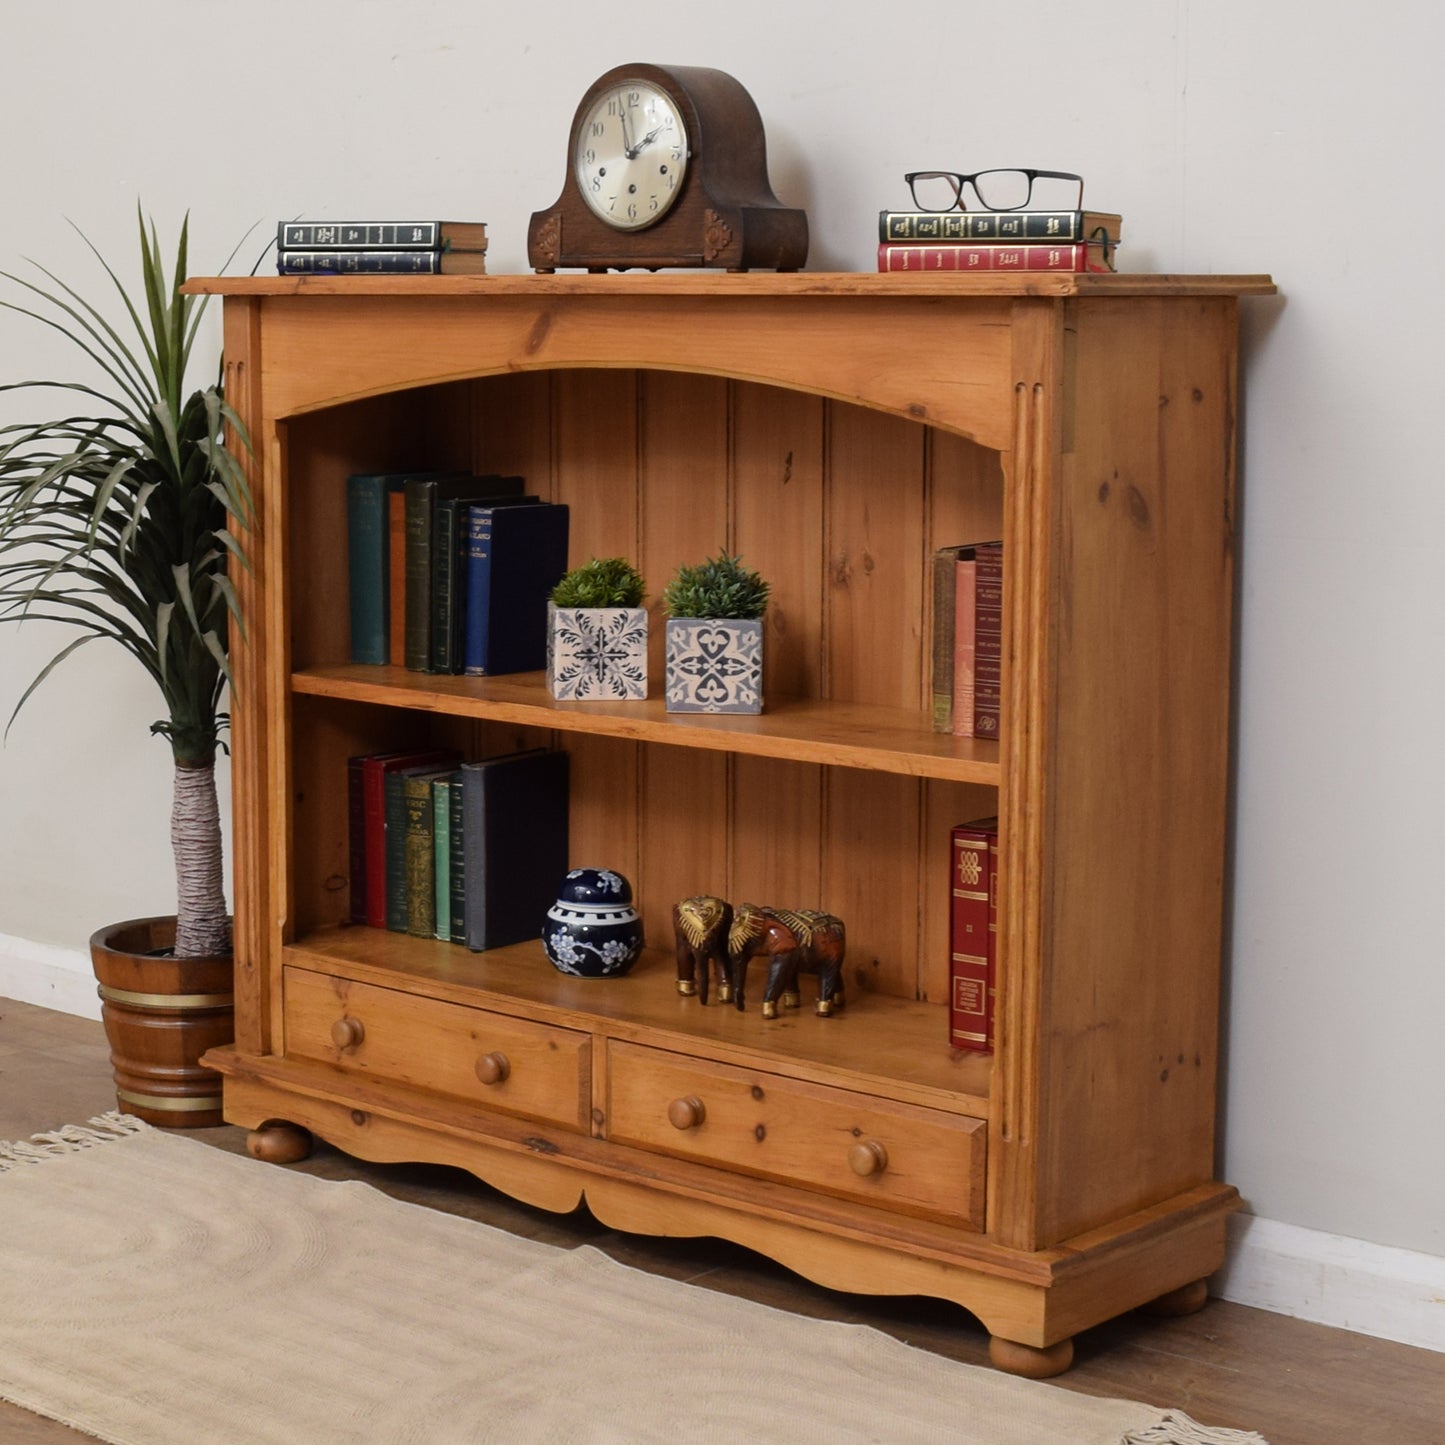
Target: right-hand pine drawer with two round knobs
x=900, y=1157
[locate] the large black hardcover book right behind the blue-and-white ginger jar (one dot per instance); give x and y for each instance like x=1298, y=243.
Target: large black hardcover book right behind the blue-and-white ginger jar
x=515, y=836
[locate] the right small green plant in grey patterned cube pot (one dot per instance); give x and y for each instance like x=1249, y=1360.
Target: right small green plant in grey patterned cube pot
x=716, y=638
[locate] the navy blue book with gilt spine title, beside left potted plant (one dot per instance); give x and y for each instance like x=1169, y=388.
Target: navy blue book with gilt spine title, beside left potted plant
x=515, y=557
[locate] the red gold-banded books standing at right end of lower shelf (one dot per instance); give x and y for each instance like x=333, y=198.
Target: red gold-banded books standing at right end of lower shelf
x=973, y=936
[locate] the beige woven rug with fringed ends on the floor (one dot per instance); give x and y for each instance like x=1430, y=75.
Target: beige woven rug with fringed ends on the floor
x=157, y=1291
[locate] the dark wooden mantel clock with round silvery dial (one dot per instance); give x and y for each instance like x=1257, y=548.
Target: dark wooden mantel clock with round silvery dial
x=720, y=213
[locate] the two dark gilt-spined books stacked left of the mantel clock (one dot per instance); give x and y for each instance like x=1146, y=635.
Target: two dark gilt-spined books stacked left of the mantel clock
x=369, y=248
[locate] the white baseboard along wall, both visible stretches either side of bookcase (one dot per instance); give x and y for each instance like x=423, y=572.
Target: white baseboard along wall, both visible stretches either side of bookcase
x=1372, y=1290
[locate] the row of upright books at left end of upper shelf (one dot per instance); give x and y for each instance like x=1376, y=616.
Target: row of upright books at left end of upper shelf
x=452, y=571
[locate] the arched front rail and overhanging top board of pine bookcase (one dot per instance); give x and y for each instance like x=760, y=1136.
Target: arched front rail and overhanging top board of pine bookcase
x=939, y=350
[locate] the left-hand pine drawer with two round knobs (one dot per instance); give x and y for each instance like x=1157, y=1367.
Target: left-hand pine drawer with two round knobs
x=492, y=1058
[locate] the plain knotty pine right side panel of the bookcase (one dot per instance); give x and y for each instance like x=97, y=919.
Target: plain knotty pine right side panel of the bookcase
x=1139, y=761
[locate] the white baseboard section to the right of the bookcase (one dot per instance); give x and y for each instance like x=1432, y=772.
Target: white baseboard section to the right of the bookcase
x=1373, y=1290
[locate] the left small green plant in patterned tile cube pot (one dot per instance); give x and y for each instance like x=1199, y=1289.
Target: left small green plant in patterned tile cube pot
x=598, y=634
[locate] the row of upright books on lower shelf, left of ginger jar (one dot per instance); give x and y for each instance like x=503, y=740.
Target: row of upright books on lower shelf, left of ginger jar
x=466, y=852
